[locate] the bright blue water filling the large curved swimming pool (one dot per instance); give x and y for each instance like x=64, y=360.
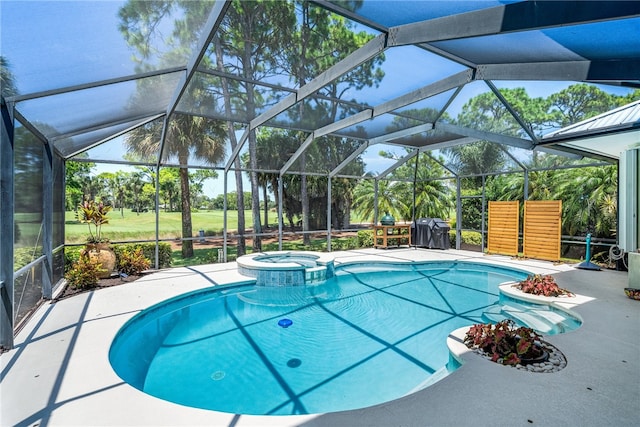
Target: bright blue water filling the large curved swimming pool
x=370, y=334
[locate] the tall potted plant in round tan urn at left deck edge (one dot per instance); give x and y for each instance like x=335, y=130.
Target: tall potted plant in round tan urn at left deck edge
x=94, y=214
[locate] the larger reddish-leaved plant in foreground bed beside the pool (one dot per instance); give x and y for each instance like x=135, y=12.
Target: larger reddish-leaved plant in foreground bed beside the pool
x=507, y=344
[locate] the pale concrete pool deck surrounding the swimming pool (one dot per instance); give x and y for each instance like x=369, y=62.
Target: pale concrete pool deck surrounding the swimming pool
x=59, y=374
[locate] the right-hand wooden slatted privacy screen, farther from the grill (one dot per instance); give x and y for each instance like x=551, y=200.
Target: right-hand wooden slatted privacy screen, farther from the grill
x=542, y=229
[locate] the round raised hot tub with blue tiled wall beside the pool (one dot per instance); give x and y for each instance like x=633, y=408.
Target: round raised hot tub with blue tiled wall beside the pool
x=287, y=268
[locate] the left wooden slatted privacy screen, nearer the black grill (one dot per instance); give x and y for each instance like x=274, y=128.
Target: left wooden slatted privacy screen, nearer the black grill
x=503, y=228
